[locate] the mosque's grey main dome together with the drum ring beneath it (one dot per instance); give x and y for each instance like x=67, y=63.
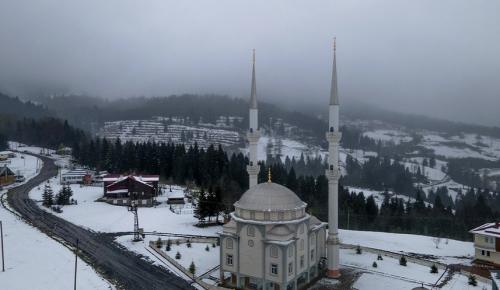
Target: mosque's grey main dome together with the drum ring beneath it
x=270, y=201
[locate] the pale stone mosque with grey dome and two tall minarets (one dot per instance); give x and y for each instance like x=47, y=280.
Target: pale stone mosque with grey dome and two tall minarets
x=271, y=242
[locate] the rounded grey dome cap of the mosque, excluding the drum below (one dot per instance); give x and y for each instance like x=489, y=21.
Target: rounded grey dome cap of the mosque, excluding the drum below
x=269, y=196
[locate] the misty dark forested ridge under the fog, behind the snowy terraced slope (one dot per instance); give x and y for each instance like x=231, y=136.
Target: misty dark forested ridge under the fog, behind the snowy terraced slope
x=81, y=111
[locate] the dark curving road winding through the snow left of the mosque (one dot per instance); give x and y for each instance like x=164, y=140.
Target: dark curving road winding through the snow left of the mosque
x=123, y=268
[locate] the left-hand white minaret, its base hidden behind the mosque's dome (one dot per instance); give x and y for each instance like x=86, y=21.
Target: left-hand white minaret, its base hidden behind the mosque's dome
x=253, y=134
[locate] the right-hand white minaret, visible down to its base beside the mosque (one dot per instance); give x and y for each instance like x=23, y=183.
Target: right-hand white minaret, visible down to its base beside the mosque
x=333, y=174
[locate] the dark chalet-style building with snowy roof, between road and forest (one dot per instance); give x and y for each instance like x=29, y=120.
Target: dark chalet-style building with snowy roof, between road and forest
x=119, y=189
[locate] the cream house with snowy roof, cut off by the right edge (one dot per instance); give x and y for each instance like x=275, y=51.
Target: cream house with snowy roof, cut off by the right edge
x=487, y=243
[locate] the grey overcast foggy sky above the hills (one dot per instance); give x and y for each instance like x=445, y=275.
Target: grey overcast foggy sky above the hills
x=434, y=57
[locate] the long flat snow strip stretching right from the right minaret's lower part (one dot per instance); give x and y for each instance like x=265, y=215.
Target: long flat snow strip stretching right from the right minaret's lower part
x=446, y=253
